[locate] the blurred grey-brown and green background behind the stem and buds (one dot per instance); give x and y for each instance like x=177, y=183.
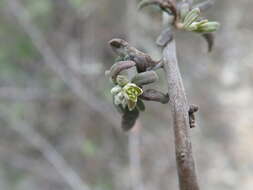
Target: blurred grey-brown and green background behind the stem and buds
x=58, y=127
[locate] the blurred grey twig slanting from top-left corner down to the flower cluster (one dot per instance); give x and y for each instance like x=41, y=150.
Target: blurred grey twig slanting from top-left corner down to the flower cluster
x=54, y=63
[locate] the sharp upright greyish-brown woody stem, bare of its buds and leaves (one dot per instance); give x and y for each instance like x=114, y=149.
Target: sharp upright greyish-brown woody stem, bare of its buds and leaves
x=179, y=108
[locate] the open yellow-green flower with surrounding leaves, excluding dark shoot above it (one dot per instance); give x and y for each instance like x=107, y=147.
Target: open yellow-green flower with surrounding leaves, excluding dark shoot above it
x=128, y=93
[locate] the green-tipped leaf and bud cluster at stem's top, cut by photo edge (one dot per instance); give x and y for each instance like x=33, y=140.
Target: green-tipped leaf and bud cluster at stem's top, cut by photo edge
x=185, y=16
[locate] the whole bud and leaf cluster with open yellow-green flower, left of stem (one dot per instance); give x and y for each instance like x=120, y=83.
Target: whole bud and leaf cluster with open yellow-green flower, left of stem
x=128, y=93
